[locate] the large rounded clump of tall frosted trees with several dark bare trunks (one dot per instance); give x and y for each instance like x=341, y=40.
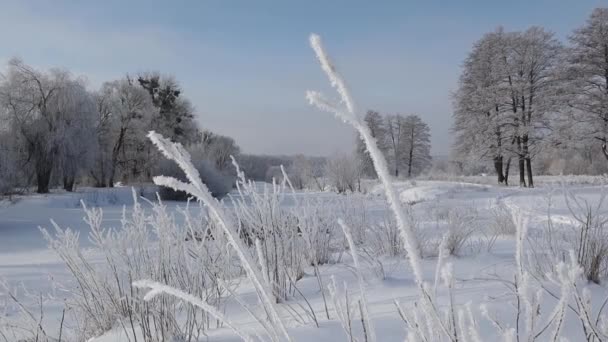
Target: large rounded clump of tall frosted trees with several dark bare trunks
x=506, y=97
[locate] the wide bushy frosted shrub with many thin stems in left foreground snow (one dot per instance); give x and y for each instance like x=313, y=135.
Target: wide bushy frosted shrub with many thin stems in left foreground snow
x=148, y=244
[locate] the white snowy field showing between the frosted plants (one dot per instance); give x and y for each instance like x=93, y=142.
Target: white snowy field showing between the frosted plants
x=483, y=262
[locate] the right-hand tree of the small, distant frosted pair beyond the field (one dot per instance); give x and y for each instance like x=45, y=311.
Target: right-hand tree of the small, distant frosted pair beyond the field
x=416, y=145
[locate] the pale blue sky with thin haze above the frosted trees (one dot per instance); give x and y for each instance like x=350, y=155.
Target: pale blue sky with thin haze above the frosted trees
x=246, y=64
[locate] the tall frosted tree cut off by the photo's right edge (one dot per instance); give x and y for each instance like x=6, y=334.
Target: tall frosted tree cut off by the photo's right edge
x=587, y=79
